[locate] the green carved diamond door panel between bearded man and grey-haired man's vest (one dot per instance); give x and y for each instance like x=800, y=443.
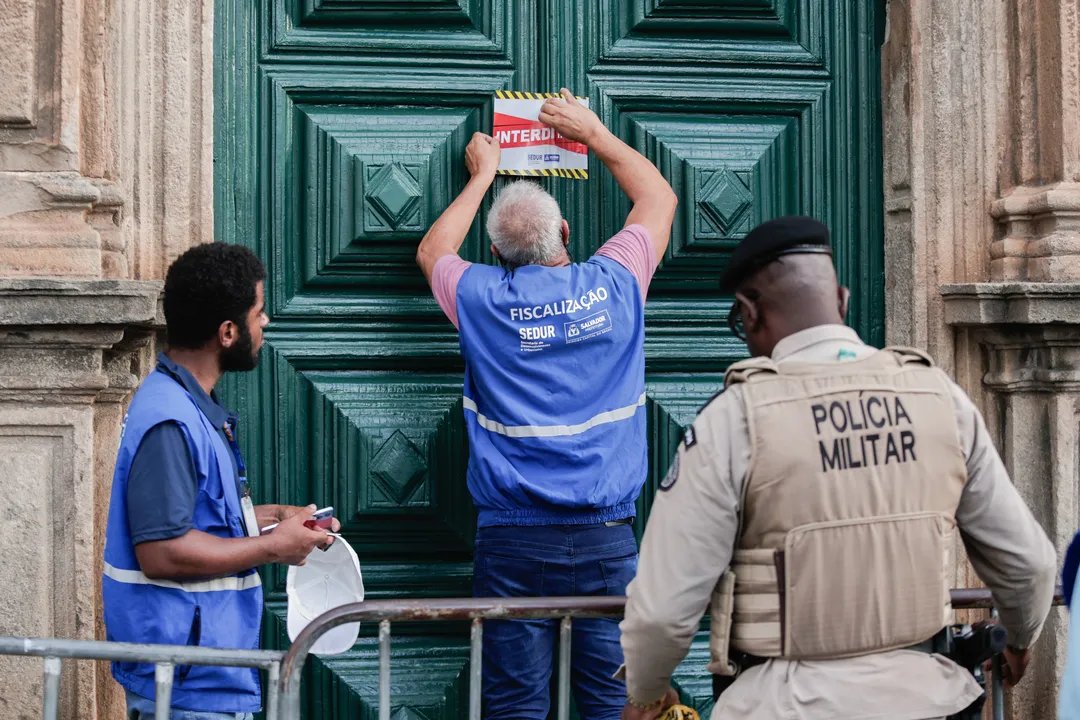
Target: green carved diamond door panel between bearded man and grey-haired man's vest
x=388, y=451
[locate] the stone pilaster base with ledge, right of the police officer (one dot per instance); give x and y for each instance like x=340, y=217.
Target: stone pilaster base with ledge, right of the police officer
x=1029, y=335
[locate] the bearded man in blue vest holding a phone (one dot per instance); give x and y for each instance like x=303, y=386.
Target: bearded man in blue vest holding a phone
x=183, y=539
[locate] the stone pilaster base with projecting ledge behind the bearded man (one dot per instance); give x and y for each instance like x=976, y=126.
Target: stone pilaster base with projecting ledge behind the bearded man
x=71, y=355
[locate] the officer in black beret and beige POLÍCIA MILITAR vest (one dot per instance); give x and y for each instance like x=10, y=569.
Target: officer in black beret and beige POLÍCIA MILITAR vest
x=813, y=506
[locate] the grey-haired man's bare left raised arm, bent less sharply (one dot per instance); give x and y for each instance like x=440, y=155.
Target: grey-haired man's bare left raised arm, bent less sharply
x=445, y=237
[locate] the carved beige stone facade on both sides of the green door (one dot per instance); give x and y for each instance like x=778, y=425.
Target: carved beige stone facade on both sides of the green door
x=106, y=151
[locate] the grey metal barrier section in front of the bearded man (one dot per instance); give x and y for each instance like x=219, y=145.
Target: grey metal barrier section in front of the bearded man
x=165, y=658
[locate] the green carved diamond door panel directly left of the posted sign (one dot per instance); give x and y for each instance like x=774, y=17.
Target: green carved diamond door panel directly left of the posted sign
x=355, y=180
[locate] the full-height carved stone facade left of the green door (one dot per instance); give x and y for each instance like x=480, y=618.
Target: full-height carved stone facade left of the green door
x=106, y=175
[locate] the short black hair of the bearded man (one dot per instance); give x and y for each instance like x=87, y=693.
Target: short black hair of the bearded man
x=207, y=287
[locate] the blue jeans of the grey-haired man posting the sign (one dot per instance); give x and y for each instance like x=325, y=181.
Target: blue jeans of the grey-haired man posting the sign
x=519, y=656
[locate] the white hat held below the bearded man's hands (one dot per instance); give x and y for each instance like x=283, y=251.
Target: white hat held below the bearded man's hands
x=326, y=581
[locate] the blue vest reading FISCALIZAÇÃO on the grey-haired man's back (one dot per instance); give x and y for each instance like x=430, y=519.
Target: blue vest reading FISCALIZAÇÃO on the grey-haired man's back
x=555, y=392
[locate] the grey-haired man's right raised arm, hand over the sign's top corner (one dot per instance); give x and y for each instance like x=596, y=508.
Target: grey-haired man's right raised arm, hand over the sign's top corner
x=654, y=200
